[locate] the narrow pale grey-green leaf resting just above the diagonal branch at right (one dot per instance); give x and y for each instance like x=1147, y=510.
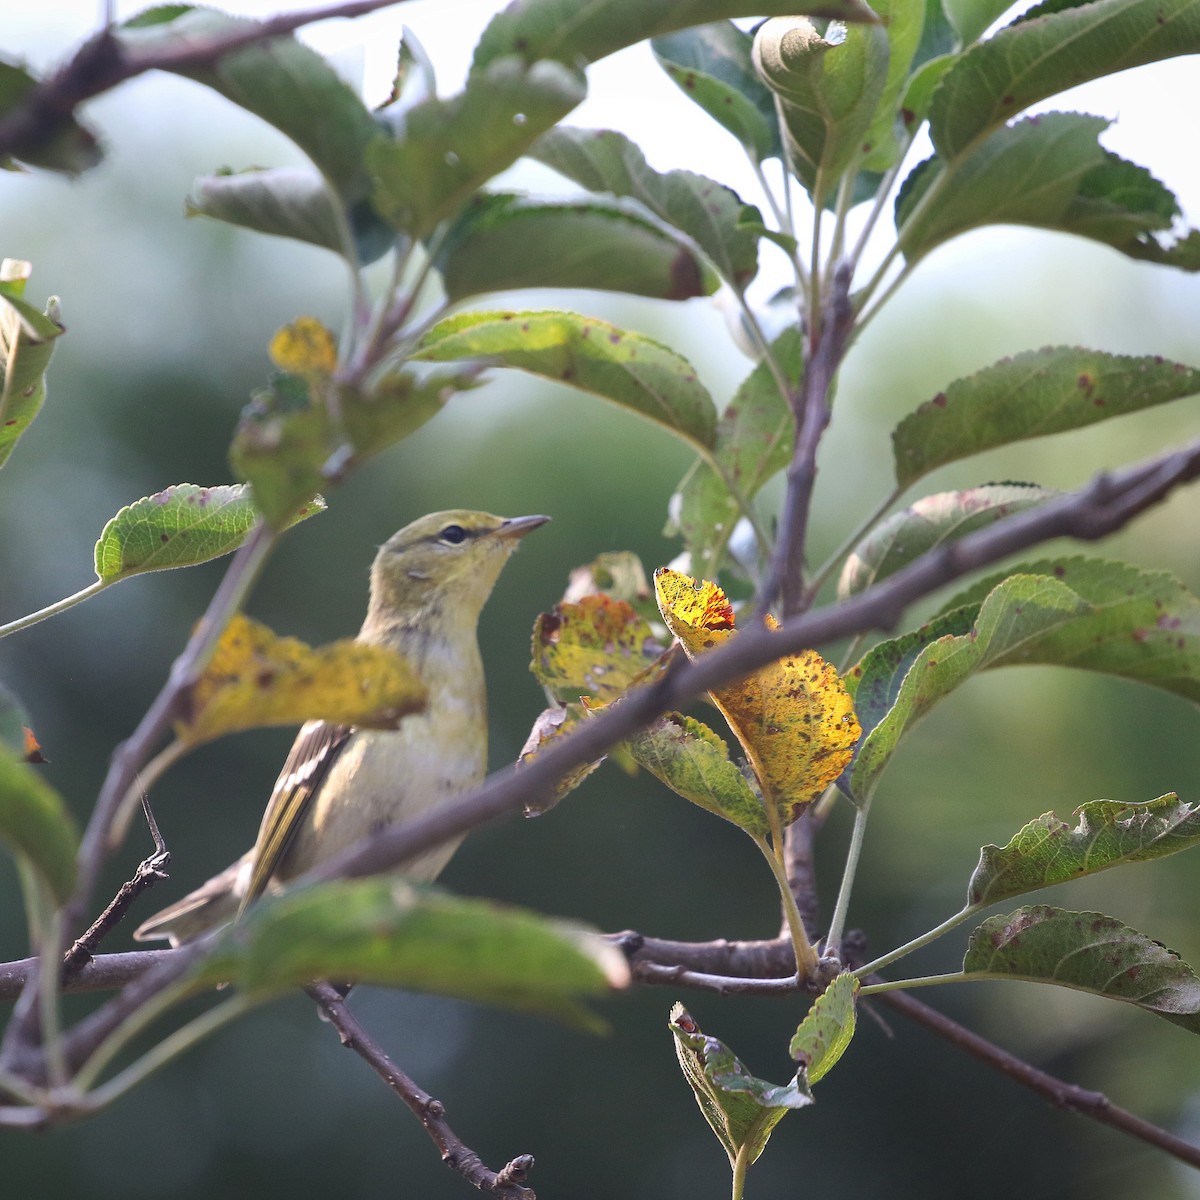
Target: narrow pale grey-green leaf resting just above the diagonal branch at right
x=931, y=523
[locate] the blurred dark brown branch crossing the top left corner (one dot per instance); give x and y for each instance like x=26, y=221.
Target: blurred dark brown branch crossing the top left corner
x=104, y=62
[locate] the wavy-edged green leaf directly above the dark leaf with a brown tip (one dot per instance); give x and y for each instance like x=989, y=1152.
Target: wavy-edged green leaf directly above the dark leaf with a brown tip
x=710, y=213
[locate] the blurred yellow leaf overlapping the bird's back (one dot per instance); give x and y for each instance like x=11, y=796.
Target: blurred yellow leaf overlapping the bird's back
x=256, y=679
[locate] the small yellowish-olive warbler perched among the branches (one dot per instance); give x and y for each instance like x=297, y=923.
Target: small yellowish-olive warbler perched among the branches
x=339, y=785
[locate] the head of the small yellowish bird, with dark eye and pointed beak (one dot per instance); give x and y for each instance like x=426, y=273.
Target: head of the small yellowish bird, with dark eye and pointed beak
x=443, y=567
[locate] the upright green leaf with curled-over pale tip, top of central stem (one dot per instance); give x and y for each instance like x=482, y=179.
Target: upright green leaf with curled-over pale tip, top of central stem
x=829, y=91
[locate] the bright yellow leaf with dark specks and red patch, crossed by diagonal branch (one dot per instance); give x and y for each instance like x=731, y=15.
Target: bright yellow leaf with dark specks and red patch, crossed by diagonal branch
x=794, y=718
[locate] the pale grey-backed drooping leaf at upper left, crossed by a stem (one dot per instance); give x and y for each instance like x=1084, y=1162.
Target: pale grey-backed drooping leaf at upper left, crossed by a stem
x=289, y=202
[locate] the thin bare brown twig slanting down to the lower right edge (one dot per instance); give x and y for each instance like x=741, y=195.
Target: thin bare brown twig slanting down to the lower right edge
x=1059, y=1093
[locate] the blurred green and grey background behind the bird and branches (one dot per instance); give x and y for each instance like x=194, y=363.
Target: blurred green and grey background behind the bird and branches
x=169, y=322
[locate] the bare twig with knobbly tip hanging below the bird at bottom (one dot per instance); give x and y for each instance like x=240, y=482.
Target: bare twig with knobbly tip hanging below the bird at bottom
x=459, y=1157
